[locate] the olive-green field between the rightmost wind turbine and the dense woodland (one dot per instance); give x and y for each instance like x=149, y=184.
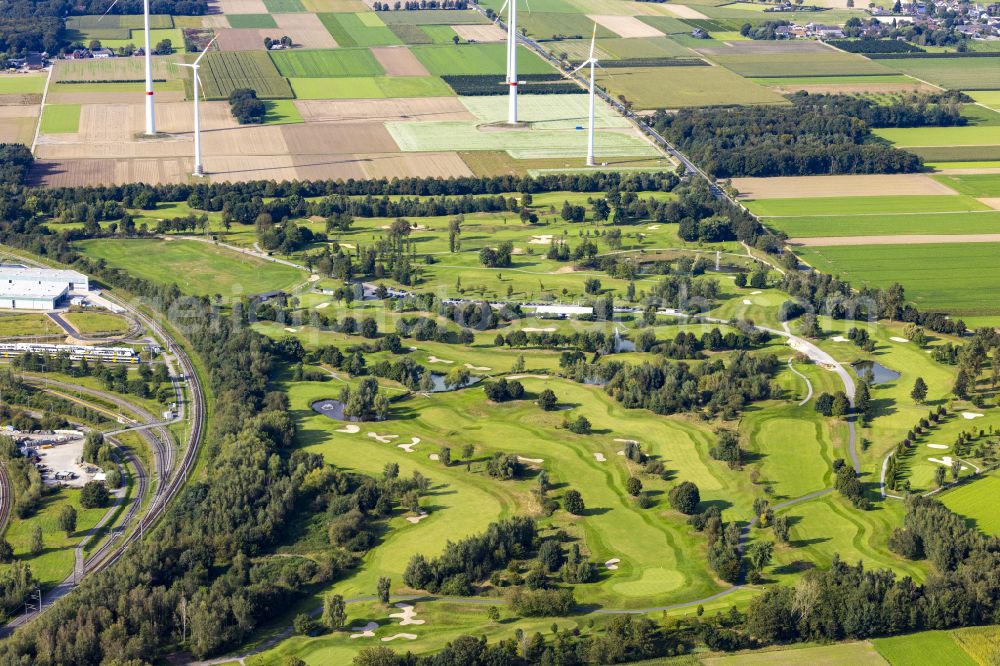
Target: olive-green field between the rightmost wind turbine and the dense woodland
x=676, y=87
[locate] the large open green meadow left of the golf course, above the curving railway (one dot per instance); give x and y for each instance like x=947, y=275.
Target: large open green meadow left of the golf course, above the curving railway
x=197, y=268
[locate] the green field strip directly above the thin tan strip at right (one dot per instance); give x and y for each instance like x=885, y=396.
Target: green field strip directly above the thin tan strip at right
x=983, y=222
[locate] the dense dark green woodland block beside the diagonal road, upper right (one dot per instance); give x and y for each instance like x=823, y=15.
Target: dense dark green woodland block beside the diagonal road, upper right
x=817, y=135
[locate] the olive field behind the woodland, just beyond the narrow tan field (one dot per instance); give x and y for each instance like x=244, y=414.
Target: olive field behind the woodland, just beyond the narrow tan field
x=800, y=64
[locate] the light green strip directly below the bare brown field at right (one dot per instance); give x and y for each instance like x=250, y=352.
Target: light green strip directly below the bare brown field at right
x=872, y=205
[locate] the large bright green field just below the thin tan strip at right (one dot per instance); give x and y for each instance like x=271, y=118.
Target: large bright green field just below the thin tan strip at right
x=956, y=278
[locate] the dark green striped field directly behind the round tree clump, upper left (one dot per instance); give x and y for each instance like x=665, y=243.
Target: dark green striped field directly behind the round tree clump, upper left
x=224, y=71
